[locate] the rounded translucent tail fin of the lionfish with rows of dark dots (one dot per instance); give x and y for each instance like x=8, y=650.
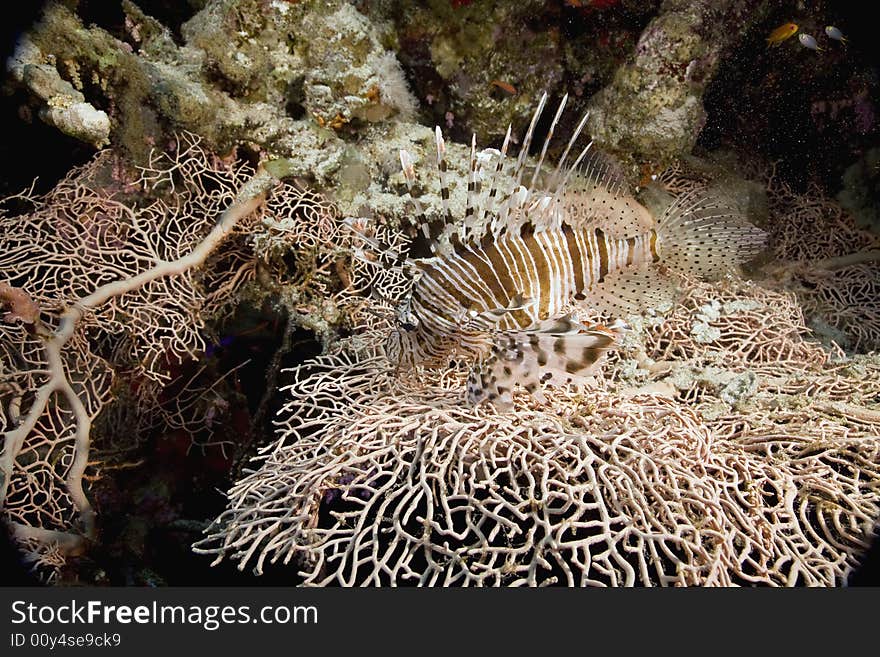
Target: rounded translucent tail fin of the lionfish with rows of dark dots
x=699, y=234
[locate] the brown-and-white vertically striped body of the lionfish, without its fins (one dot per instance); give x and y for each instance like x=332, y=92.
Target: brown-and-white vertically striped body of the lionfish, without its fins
x=461, y=296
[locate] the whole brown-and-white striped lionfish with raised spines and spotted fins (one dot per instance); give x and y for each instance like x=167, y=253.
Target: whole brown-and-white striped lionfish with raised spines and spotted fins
x=504, y=281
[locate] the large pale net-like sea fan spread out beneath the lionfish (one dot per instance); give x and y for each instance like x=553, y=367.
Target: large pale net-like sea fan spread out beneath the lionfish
x=722, y=446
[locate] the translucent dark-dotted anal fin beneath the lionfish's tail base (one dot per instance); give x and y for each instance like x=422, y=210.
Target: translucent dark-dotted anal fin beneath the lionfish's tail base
x=633, y=292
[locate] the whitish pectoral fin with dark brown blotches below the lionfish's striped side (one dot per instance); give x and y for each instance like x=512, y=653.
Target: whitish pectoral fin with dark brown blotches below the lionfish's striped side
x=532, y=358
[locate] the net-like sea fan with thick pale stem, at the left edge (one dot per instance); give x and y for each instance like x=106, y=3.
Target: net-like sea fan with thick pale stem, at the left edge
x=103, y=276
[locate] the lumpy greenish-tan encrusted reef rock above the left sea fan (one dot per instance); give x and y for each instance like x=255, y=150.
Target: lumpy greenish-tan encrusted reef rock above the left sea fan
x=248, y=73
